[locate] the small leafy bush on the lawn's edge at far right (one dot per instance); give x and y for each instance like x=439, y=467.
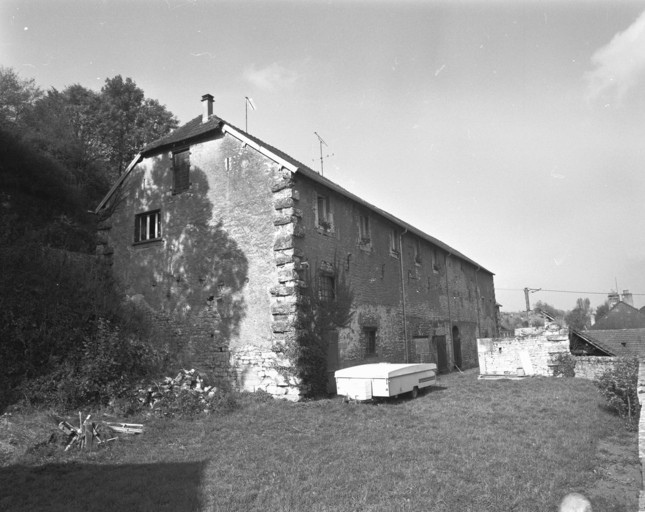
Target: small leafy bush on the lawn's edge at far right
x=619, y=388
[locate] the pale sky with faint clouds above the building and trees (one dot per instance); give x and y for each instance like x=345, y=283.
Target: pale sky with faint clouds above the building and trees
x=513, y=131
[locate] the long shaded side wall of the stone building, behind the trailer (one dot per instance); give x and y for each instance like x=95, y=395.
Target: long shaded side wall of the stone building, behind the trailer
x=442, y=291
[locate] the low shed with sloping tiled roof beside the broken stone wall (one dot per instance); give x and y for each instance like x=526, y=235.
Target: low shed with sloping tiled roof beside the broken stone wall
x=615, y=342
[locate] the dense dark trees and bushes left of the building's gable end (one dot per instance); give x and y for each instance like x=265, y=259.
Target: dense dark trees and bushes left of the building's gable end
x=67, y=337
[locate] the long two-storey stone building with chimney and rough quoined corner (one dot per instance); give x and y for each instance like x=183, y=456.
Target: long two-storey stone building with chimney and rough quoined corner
x=217, y=233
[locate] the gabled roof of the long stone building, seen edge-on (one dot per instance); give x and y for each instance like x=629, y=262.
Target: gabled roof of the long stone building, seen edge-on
x=196, y=130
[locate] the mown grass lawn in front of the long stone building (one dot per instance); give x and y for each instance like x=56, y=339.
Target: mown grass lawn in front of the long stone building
x=468, y=445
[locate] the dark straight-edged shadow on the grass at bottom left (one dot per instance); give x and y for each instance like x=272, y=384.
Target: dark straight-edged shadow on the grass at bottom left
x=72, y=487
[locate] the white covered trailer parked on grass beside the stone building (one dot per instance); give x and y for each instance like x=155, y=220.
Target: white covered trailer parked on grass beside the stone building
x=366, y=381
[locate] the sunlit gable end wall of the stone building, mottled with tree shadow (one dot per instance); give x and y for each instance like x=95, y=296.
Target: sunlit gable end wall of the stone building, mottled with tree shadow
x=220, y=277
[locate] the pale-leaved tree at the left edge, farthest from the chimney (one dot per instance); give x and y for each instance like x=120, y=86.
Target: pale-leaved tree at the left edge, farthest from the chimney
x=17, y=96
